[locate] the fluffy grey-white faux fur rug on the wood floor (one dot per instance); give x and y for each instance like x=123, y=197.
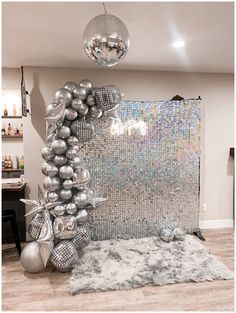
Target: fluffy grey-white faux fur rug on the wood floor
x=124, y=264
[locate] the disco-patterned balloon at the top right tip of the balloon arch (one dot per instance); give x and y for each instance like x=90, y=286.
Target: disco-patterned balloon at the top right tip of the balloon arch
x=107, y=97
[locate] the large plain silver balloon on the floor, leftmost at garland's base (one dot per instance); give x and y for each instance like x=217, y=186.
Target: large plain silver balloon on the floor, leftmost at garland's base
x=31, y=259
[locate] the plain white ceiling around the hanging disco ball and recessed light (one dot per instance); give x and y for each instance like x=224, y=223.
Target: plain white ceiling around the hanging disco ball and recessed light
x=50, y=34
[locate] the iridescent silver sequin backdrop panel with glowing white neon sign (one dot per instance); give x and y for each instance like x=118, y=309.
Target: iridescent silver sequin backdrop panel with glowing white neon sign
x=148, y=164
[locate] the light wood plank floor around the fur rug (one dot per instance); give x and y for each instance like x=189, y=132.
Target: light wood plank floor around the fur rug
x=48, y=291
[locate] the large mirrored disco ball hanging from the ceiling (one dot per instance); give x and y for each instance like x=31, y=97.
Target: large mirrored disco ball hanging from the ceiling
x=106, y=40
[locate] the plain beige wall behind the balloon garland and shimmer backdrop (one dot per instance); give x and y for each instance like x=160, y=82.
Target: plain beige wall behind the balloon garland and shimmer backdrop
x=217, y=95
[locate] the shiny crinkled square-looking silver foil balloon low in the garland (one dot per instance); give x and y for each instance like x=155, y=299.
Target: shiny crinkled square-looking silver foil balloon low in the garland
x=65, y=227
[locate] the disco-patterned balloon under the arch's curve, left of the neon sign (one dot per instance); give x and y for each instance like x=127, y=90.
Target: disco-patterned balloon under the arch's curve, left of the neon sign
x=82, y=129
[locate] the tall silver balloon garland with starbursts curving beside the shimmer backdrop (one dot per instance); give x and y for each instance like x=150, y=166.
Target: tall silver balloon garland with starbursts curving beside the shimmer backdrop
x=60, y=216
